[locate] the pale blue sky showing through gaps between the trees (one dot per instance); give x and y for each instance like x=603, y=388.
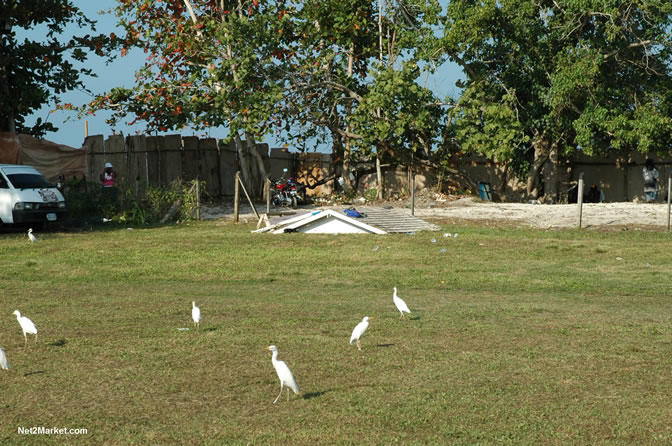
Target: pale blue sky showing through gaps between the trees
x=121, y=73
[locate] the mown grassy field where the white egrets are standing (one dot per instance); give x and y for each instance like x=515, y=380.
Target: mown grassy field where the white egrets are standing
x=516, y=337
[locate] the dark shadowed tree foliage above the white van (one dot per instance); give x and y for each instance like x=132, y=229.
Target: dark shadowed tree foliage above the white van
x=34, y=72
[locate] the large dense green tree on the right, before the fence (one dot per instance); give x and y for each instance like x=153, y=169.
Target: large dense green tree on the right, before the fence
x=547, y=78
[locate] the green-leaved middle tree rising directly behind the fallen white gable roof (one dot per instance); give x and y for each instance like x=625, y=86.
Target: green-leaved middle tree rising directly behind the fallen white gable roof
x=355, y=72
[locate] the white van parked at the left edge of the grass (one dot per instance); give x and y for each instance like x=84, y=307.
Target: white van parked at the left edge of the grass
x=27, y=197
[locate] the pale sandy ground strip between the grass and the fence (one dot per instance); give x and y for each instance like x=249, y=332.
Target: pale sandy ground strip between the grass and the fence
x=454, y=210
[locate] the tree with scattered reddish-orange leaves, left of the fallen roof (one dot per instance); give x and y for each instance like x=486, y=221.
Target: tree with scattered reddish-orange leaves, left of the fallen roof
x=208, y=65
